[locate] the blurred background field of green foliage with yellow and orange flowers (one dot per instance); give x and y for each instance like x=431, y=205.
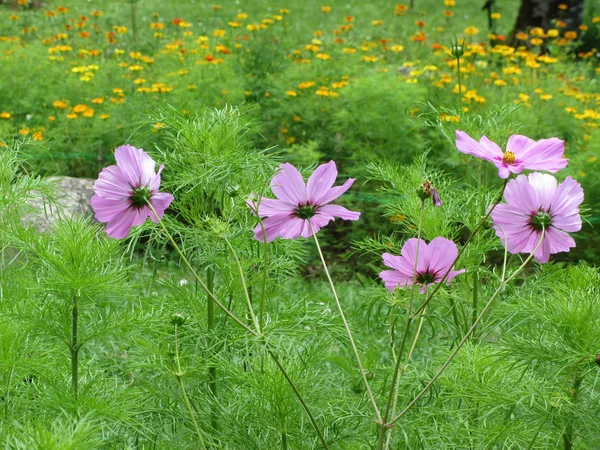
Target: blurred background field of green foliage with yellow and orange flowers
x=319, y=80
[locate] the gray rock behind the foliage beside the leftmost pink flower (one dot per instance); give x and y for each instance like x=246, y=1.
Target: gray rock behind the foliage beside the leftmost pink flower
x=72, y=199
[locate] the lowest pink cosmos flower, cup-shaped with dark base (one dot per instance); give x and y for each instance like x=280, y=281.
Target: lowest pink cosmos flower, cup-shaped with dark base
x=434, y=260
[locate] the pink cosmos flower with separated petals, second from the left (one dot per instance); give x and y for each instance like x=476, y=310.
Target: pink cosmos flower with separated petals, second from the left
x=300, y=205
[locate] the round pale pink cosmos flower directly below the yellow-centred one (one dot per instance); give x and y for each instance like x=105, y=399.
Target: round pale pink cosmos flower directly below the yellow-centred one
x=534, y=202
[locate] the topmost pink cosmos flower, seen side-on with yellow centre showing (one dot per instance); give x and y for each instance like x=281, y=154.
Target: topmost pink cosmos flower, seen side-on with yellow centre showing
x=521, y=153
